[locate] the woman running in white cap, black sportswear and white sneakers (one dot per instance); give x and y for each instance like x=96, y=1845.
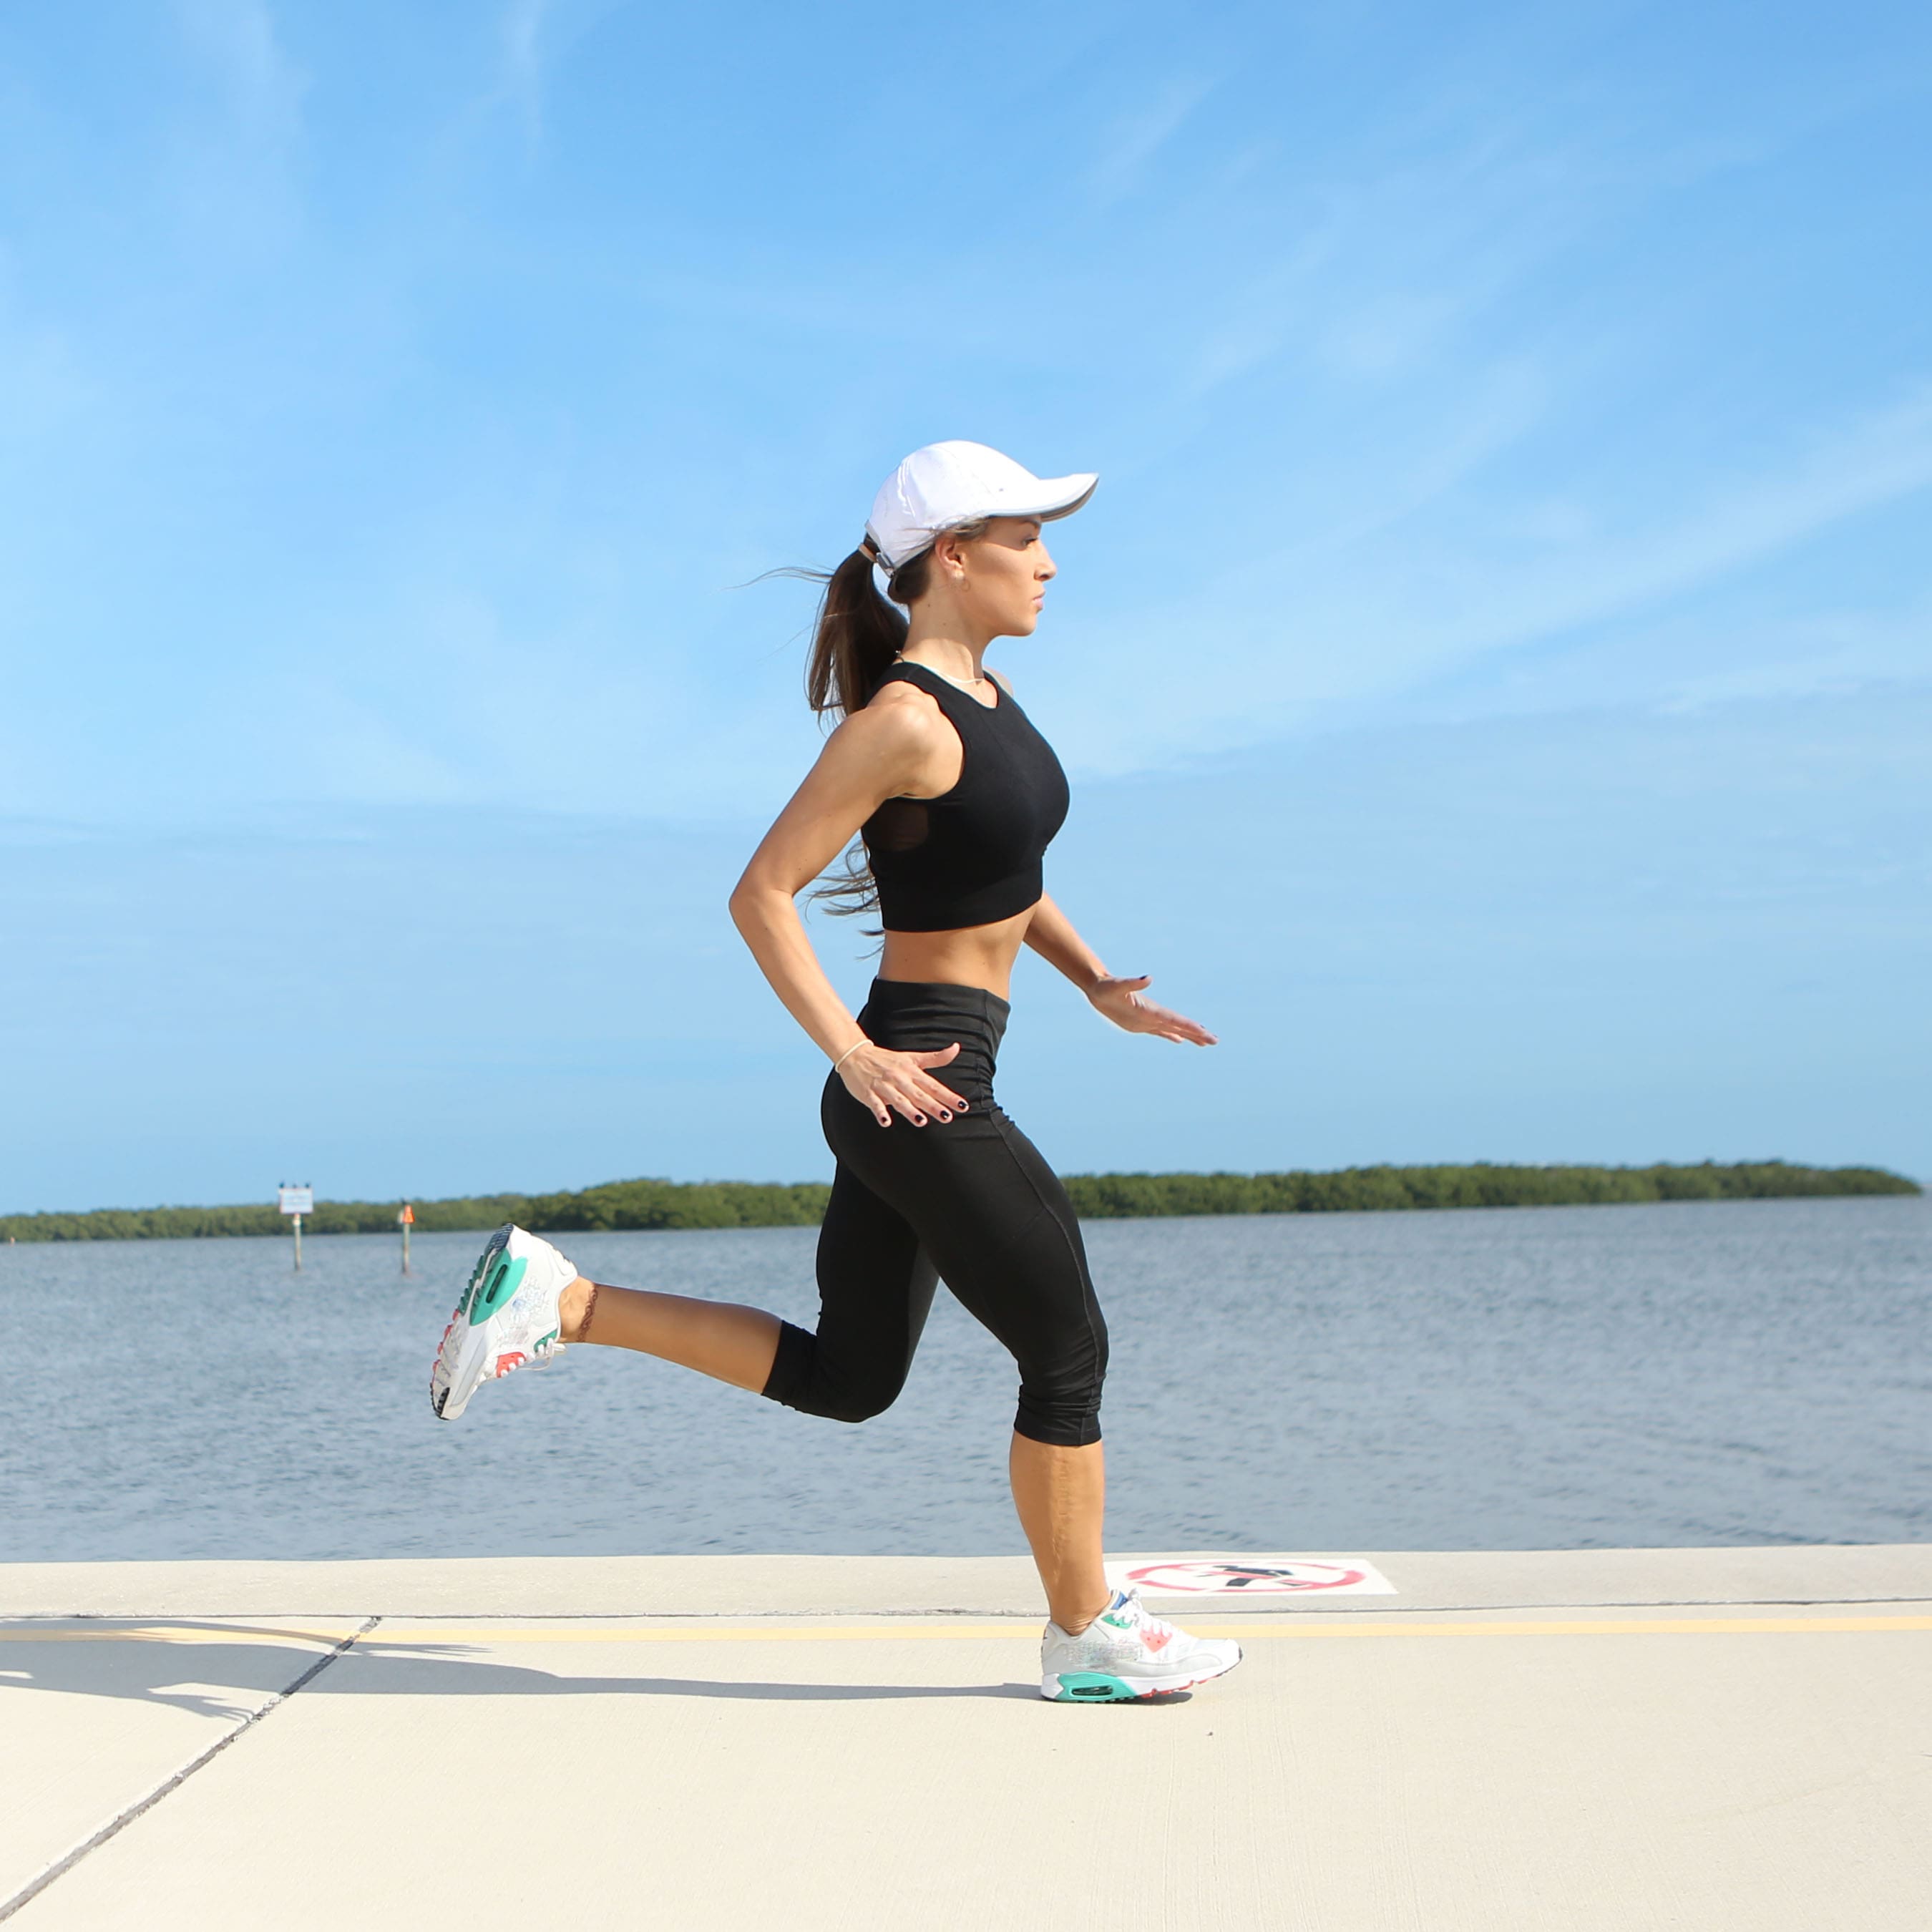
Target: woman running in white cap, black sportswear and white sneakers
x=955, y=797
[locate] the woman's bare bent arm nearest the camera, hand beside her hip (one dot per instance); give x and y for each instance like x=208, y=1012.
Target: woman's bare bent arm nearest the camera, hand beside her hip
x=876, y=754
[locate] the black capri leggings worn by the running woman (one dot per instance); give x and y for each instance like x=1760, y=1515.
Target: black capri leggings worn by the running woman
x=965, y=1201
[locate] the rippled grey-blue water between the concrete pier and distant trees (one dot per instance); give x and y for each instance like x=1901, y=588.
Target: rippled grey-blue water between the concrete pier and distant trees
x=1523, y=1378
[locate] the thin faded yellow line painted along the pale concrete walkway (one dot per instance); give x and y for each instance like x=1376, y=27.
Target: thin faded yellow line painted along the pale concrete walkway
x=393, y=1637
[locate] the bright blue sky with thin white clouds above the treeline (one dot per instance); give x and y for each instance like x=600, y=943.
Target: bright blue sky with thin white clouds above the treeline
x=1496, y=668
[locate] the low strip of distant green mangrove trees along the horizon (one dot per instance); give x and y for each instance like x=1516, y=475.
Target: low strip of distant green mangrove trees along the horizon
x=666, y=1205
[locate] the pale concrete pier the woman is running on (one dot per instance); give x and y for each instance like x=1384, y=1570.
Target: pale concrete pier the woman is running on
x=1618, y=1740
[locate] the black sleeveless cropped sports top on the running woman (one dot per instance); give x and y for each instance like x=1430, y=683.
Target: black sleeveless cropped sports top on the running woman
x=969, y=857
